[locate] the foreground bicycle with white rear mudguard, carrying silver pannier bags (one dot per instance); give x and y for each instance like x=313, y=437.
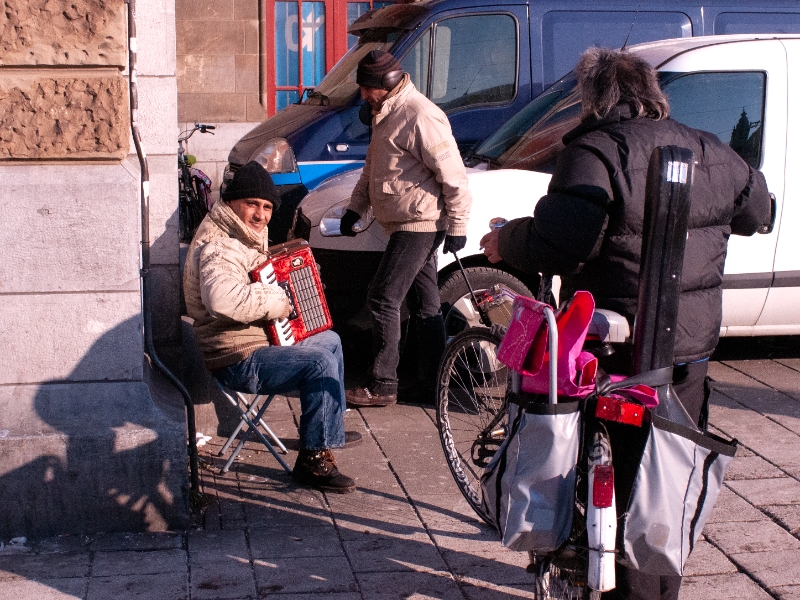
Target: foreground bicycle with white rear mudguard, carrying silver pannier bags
x=472, y=417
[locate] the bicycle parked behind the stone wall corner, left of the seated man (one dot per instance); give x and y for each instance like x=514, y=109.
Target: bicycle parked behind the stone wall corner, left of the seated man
x=194, y=187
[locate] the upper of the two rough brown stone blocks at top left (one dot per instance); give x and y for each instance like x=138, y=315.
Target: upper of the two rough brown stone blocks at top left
x=64, y=32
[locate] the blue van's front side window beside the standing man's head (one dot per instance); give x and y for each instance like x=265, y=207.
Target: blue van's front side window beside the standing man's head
x=474, y=61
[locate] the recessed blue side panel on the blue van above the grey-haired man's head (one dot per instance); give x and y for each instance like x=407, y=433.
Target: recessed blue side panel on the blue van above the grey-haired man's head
x=566, y=34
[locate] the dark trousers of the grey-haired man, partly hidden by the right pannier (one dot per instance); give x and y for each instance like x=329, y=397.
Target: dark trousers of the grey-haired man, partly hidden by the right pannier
x=689, y=383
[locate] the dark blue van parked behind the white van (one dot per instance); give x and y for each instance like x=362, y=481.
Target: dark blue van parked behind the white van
x=481, y=62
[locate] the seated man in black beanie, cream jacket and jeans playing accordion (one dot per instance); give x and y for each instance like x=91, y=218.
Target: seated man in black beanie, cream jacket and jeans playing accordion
x=230, y=316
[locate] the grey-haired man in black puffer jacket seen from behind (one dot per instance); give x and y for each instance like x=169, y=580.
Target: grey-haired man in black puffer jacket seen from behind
x=588, y=228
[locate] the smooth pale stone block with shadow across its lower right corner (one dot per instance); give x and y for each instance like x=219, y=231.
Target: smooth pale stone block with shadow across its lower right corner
x=71, y=337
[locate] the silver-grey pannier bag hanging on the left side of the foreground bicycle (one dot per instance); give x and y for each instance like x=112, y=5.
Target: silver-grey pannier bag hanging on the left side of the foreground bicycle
x=529, y=486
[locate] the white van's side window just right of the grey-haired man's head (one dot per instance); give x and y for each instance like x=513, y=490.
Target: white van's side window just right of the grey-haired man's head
x=730, y=105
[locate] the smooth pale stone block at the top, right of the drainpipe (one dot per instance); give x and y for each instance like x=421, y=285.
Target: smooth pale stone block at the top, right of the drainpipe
x=155, y=33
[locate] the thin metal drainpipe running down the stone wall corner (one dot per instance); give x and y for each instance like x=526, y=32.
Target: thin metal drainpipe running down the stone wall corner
x=145, y=273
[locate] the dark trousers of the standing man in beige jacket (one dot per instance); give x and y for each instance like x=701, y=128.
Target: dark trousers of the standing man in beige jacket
x=407, y=269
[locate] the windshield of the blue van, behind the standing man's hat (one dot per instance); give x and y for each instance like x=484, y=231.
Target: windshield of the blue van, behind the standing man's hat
x=339, y=86
